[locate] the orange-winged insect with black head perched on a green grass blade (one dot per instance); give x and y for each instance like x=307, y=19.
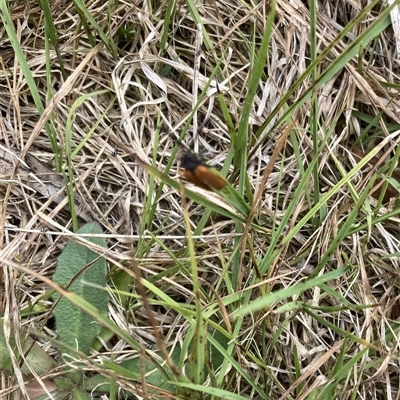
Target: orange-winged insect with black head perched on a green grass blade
x=199, y=173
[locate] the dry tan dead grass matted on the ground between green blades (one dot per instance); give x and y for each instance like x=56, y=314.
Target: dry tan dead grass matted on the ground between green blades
x=145, y=85
